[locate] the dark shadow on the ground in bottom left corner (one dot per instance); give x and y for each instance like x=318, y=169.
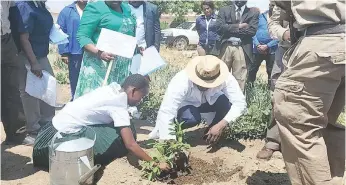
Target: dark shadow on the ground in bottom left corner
x=15, y=166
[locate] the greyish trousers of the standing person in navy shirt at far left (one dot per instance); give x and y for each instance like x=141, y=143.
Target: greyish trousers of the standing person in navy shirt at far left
x=36, y=111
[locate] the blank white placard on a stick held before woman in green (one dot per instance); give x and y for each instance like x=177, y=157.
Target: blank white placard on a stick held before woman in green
x=116, y=43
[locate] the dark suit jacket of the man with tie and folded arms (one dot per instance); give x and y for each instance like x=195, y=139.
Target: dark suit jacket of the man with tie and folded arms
x=228, y=27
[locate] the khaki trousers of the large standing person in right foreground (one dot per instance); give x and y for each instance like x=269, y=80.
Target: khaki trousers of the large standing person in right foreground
x=308, y=97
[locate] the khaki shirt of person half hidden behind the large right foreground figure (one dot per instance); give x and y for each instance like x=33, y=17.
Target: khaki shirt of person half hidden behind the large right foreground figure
x=278, y=25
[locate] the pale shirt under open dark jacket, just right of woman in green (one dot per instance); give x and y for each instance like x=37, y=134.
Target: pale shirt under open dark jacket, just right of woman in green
x=140, y=30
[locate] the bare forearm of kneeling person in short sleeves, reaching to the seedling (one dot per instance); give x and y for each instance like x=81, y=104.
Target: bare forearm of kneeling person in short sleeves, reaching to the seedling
x=132, y=145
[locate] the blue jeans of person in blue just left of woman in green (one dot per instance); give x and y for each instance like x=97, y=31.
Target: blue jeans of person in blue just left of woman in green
x=74, y=64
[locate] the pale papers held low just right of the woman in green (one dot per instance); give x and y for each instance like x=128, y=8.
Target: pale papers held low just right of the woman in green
x=150, y=62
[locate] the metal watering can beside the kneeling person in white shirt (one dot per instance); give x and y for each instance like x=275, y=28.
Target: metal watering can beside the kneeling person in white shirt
x=71, y=158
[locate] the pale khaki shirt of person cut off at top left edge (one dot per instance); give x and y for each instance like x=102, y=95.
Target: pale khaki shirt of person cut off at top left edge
x=5, y=11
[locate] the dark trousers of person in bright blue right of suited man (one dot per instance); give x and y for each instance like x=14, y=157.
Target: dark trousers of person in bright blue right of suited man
x=254, y=66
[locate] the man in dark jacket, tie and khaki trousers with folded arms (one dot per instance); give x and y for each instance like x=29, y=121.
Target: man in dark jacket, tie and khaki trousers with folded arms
x=236, y=25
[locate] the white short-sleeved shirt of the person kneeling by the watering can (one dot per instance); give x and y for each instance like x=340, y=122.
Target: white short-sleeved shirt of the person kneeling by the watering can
x=102, y=106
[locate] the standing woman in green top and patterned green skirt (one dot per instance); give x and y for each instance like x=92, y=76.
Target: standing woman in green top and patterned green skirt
x=113, y=15
